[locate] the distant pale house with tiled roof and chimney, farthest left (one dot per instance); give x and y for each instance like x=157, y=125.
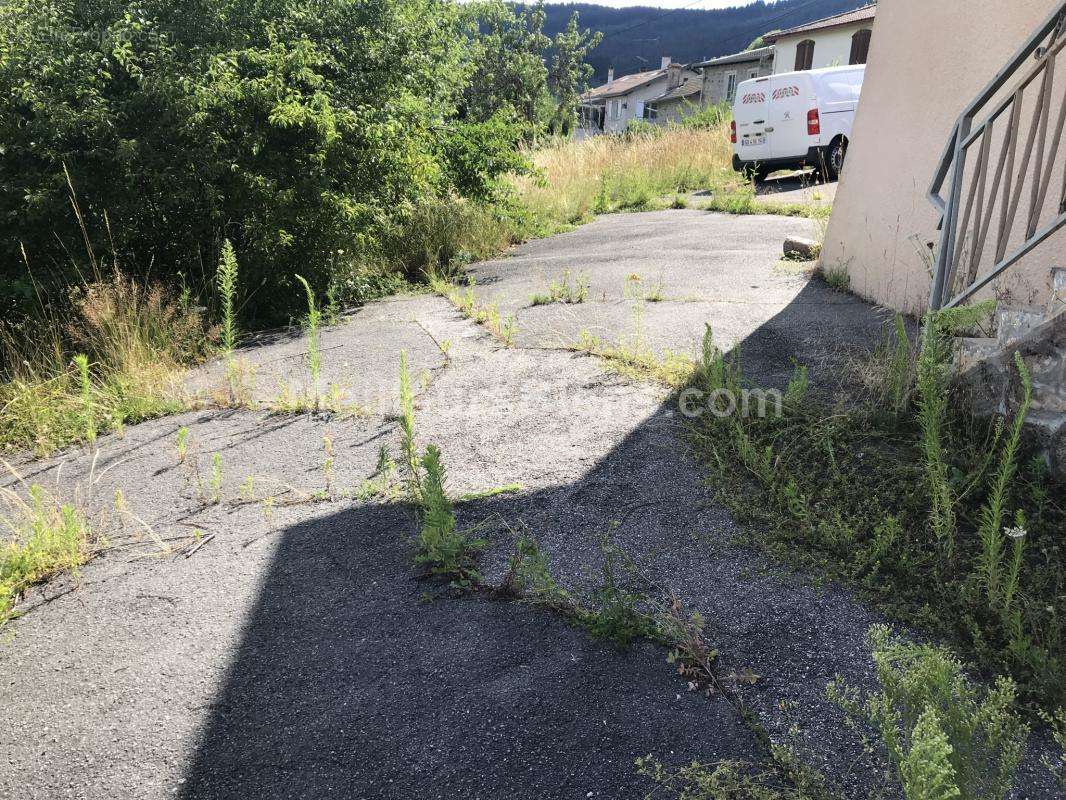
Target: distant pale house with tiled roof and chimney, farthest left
x=610, y=108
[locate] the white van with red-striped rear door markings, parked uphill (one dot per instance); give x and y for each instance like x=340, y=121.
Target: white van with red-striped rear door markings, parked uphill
x=796, y=120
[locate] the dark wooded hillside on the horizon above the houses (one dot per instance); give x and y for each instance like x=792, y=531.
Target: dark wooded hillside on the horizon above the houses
x=637, y=38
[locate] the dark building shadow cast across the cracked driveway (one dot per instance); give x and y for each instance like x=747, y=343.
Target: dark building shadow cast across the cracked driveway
x=349, y=683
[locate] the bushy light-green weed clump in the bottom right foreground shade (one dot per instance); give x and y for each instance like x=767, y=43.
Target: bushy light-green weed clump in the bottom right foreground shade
x=945, y=738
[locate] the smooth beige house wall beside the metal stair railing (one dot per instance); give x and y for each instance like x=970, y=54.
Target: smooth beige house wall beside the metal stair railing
x=928, y=61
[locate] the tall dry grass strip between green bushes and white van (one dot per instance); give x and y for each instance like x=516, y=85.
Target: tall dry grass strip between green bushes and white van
x=577, y=180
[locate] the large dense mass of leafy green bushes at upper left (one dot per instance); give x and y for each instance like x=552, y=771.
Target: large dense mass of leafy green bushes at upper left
x=301, y=131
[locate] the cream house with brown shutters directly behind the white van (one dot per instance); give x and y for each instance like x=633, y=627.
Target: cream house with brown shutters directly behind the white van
x=836, y=41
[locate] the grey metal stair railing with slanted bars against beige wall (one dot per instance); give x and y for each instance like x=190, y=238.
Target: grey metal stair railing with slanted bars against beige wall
x=994, y=191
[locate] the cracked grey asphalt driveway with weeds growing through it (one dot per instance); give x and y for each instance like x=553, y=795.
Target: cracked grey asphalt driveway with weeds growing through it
x=297, y=654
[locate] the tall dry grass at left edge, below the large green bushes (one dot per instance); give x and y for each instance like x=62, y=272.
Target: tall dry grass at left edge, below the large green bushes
x=137, y=340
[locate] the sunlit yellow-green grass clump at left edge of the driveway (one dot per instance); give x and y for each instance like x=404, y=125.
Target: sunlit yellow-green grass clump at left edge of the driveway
x=42, y=538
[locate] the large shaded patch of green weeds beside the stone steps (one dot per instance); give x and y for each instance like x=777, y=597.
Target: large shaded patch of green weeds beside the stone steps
x=945, y=521
